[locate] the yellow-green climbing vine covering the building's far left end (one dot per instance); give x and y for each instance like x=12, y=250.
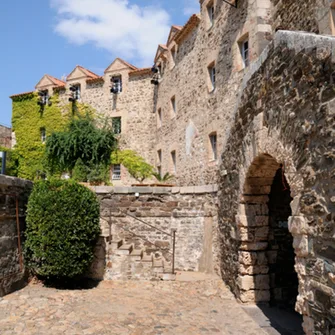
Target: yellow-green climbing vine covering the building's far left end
x=28, y=121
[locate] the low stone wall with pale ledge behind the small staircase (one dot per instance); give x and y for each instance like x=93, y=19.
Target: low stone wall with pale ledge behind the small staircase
x=191, y=211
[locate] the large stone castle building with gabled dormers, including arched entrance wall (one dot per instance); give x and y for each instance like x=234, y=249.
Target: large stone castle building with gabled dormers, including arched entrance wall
x=243, y=97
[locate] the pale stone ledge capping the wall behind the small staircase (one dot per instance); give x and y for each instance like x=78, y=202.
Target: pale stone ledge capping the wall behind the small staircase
x=204, y=189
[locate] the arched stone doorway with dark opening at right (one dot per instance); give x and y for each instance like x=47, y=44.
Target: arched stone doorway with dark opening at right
x=266, y=253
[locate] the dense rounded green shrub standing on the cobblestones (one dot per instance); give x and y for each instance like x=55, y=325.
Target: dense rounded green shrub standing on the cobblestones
x=62, y=229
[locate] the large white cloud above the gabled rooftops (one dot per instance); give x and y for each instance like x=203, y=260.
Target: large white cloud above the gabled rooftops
x=125, y=30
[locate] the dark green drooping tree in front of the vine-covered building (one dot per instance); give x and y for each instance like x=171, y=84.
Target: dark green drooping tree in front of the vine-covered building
x=82, y=140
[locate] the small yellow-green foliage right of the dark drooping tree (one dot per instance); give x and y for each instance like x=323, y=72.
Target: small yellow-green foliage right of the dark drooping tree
x=137, y=167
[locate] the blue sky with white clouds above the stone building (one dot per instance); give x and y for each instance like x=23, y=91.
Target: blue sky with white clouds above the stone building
x=53, y=36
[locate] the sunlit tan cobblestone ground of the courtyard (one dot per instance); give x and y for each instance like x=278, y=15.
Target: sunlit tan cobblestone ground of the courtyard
x=134, y=308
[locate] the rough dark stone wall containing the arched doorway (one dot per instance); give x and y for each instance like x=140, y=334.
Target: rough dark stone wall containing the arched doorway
x=284, y=120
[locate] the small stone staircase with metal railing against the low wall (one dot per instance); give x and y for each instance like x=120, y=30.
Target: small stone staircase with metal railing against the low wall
x=125, y=262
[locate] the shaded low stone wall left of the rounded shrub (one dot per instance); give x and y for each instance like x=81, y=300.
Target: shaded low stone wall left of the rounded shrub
x=14, y=194
